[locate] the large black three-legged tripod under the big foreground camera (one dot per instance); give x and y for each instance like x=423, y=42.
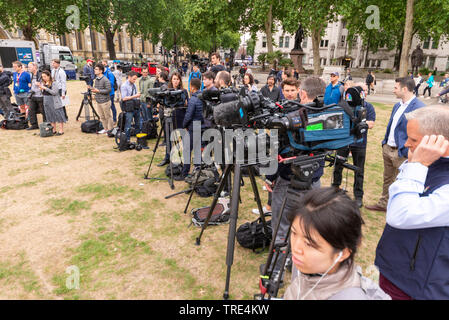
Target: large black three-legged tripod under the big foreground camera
x=235, y=197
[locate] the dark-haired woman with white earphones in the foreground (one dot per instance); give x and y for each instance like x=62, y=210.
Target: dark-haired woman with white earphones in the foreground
x=325, y=234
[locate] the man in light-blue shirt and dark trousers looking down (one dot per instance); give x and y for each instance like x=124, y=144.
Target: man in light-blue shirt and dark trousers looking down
x=131, y=103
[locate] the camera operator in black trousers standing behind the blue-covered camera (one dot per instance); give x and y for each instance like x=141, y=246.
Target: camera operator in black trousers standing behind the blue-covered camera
x=358, y=151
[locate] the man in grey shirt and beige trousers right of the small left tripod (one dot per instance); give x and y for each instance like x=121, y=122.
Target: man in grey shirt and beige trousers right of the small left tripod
x=102, y=88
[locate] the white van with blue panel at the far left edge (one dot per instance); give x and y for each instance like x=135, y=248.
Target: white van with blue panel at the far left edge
x=16, y=50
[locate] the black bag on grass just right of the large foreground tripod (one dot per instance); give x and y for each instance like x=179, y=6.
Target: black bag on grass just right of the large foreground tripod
x=251, y=235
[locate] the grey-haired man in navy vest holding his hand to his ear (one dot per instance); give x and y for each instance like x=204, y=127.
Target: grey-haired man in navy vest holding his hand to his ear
x=413, y=252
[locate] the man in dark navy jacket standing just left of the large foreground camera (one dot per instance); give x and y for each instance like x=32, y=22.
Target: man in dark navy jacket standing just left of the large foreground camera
x=194, y=113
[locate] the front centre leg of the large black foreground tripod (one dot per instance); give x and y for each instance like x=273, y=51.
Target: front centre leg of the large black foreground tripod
x=232, y=227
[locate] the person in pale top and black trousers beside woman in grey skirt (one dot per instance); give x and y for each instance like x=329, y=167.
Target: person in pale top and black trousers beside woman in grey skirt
x=36, y=100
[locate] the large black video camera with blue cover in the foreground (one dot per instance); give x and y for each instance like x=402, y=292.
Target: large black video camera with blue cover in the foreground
x=303, y=128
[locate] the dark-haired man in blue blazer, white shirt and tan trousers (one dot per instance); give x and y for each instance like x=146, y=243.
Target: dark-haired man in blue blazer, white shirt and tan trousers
x=394, y=150
